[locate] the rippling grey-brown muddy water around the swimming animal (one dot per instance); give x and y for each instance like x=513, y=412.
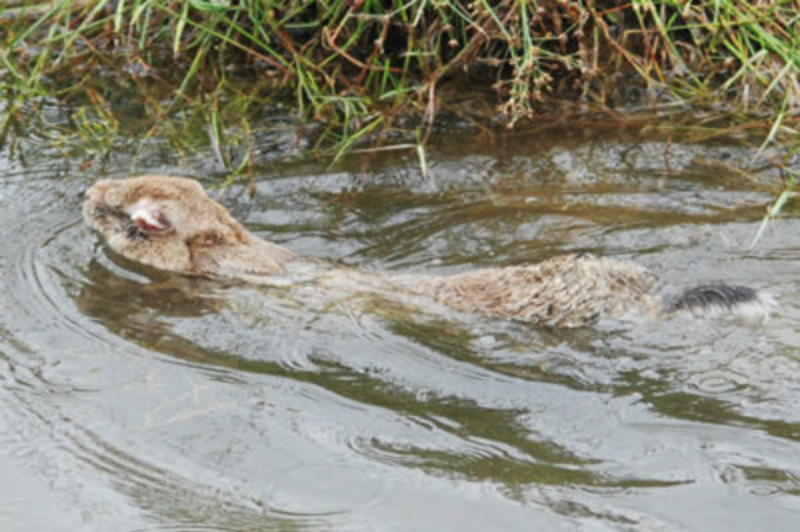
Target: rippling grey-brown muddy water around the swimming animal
x=134, y=400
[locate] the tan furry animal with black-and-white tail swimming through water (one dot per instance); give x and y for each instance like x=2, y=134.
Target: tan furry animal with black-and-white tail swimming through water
x=171, y=223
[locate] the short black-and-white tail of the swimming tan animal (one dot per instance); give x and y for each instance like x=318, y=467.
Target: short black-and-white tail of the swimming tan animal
x=719, y=299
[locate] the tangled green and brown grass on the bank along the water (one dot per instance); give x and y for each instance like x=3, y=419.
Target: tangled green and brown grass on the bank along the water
x=363, y=72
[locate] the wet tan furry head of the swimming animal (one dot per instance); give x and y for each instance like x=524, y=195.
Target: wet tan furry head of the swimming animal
x=166, y=222
